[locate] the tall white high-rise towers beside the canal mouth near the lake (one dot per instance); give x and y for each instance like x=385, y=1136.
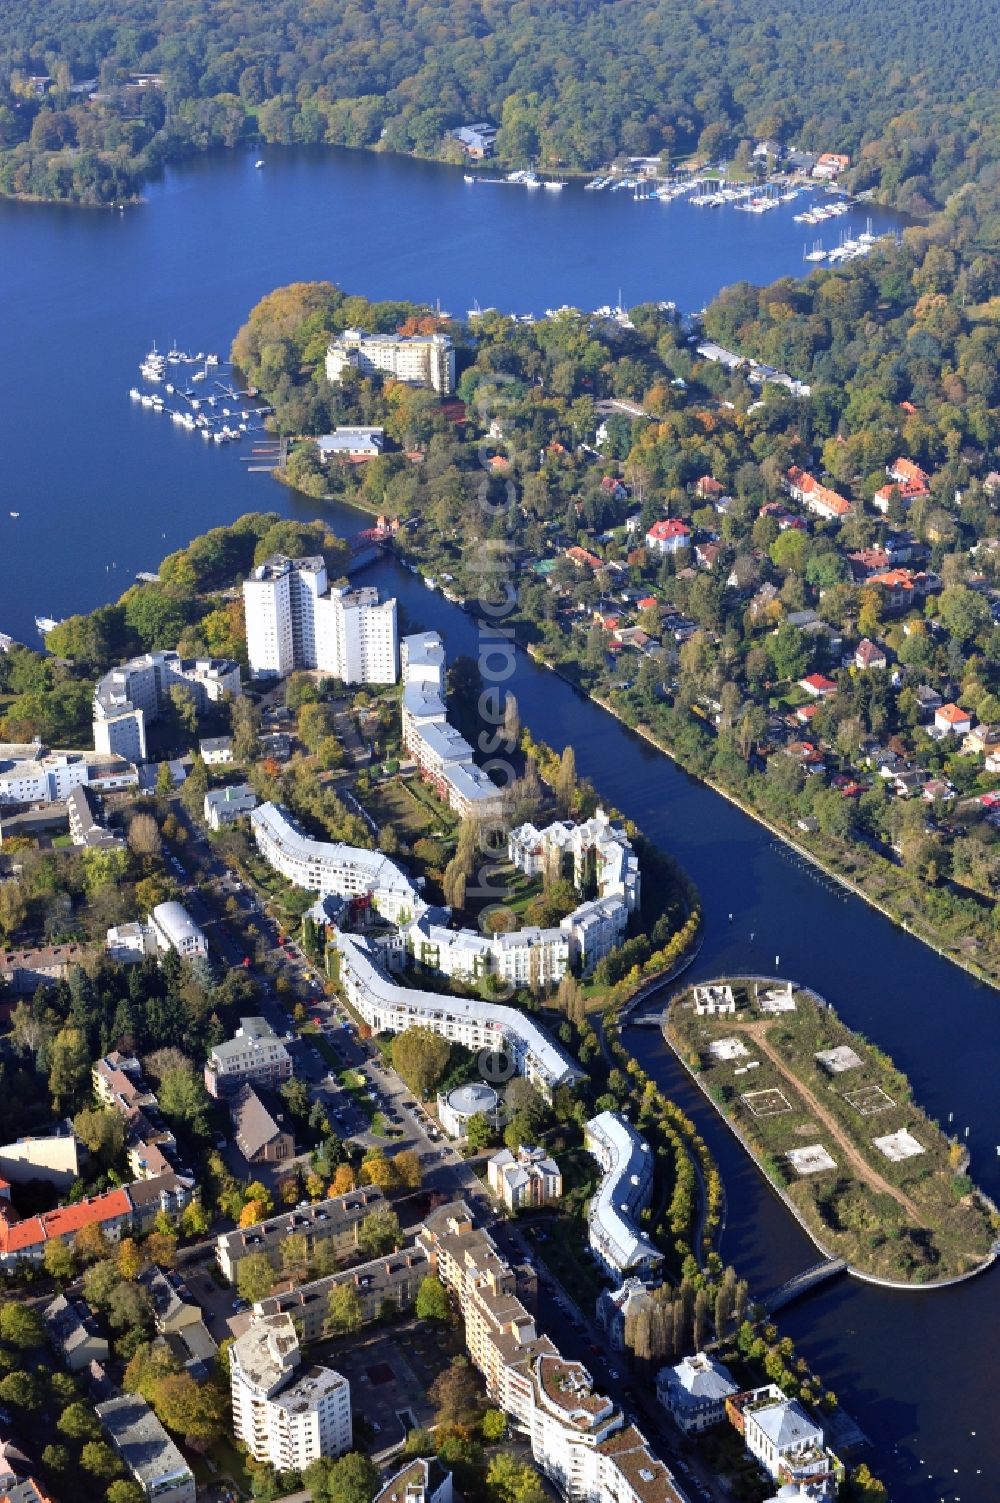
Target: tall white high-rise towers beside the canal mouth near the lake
x=297, y=620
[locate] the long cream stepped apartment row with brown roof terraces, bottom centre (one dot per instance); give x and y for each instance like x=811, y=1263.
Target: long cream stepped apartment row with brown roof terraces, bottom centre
x=578, y=1438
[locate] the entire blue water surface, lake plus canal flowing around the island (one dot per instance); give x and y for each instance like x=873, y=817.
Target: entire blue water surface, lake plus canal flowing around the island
x=105, y=491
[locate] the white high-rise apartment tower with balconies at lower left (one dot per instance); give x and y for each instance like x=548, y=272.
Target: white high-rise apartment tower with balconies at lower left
x=283, y=1417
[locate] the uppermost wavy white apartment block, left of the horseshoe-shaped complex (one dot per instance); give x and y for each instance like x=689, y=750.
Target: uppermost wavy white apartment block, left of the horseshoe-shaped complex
x=329, y=868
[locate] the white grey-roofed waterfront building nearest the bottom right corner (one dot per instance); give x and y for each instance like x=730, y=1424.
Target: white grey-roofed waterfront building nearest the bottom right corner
x=787, y=1442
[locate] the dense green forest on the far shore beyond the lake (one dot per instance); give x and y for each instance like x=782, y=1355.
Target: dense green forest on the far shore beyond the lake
x=905, y=91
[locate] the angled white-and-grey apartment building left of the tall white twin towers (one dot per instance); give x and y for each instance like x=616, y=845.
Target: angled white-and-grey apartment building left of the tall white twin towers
x=136, y=692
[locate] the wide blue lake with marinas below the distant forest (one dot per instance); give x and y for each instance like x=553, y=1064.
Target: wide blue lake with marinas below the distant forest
x=105, y=488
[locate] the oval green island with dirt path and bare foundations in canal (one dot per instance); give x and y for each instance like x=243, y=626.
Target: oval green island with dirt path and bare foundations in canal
x=834, y=1125
